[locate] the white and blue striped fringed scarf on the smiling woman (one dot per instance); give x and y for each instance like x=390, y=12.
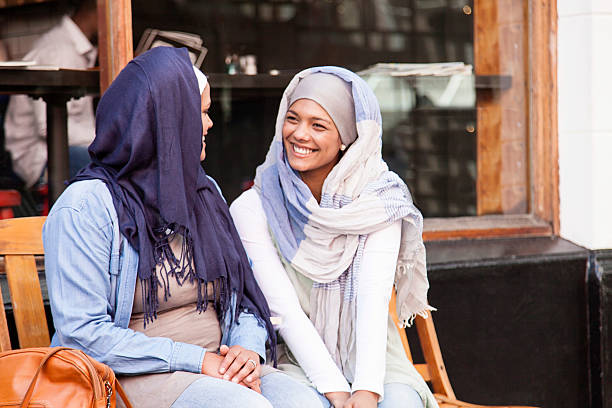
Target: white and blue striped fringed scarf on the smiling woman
x=325, y=241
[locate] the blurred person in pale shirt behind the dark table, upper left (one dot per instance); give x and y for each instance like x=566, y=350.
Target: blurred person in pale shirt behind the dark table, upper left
x=70, y=44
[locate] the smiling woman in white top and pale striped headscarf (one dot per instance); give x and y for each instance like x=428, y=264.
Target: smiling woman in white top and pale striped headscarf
x=330, y=230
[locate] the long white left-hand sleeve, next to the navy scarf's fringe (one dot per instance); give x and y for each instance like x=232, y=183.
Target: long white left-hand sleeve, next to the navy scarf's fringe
x=295, y=327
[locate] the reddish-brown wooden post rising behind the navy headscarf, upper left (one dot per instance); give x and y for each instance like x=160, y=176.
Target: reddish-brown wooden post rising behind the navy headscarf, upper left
x=114, y=38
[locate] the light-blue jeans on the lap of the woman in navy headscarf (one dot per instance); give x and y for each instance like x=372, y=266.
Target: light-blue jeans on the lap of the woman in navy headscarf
x=279, y=391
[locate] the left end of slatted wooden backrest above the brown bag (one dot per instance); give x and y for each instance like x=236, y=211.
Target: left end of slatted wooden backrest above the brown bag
x=20, y=241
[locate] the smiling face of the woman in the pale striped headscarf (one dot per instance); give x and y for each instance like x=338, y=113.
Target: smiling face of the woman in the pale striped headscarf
x=311, y=139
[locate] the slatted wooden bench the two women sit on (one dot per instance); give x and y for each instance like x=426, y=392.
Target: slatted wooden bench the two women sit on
x=21, y=241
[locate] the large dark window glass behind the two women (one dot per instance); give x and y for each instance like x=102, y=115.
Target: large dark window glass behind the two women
x=432, y=124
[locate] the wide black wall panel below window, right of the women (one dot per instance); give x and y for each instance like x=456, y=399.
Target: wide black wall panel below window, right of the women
x=512, y=320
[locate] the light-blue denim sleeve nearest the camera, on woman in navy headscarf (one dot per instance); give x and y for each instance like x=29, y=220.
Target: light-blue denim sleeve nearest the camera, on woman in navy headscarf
x=78, y=251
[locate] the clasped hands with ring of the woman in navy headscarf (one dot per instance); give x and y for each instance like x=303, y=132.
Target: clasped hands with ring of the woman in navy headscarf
x=235, y=364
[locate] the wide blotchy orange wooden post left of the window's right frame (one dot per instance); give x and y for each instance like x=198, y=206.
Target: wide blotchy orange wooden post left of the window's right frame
x=500, y=48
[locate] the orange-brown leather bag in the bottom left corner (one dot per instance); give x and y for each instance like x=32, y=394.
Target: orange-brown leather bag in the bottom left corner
x=56, y=377
